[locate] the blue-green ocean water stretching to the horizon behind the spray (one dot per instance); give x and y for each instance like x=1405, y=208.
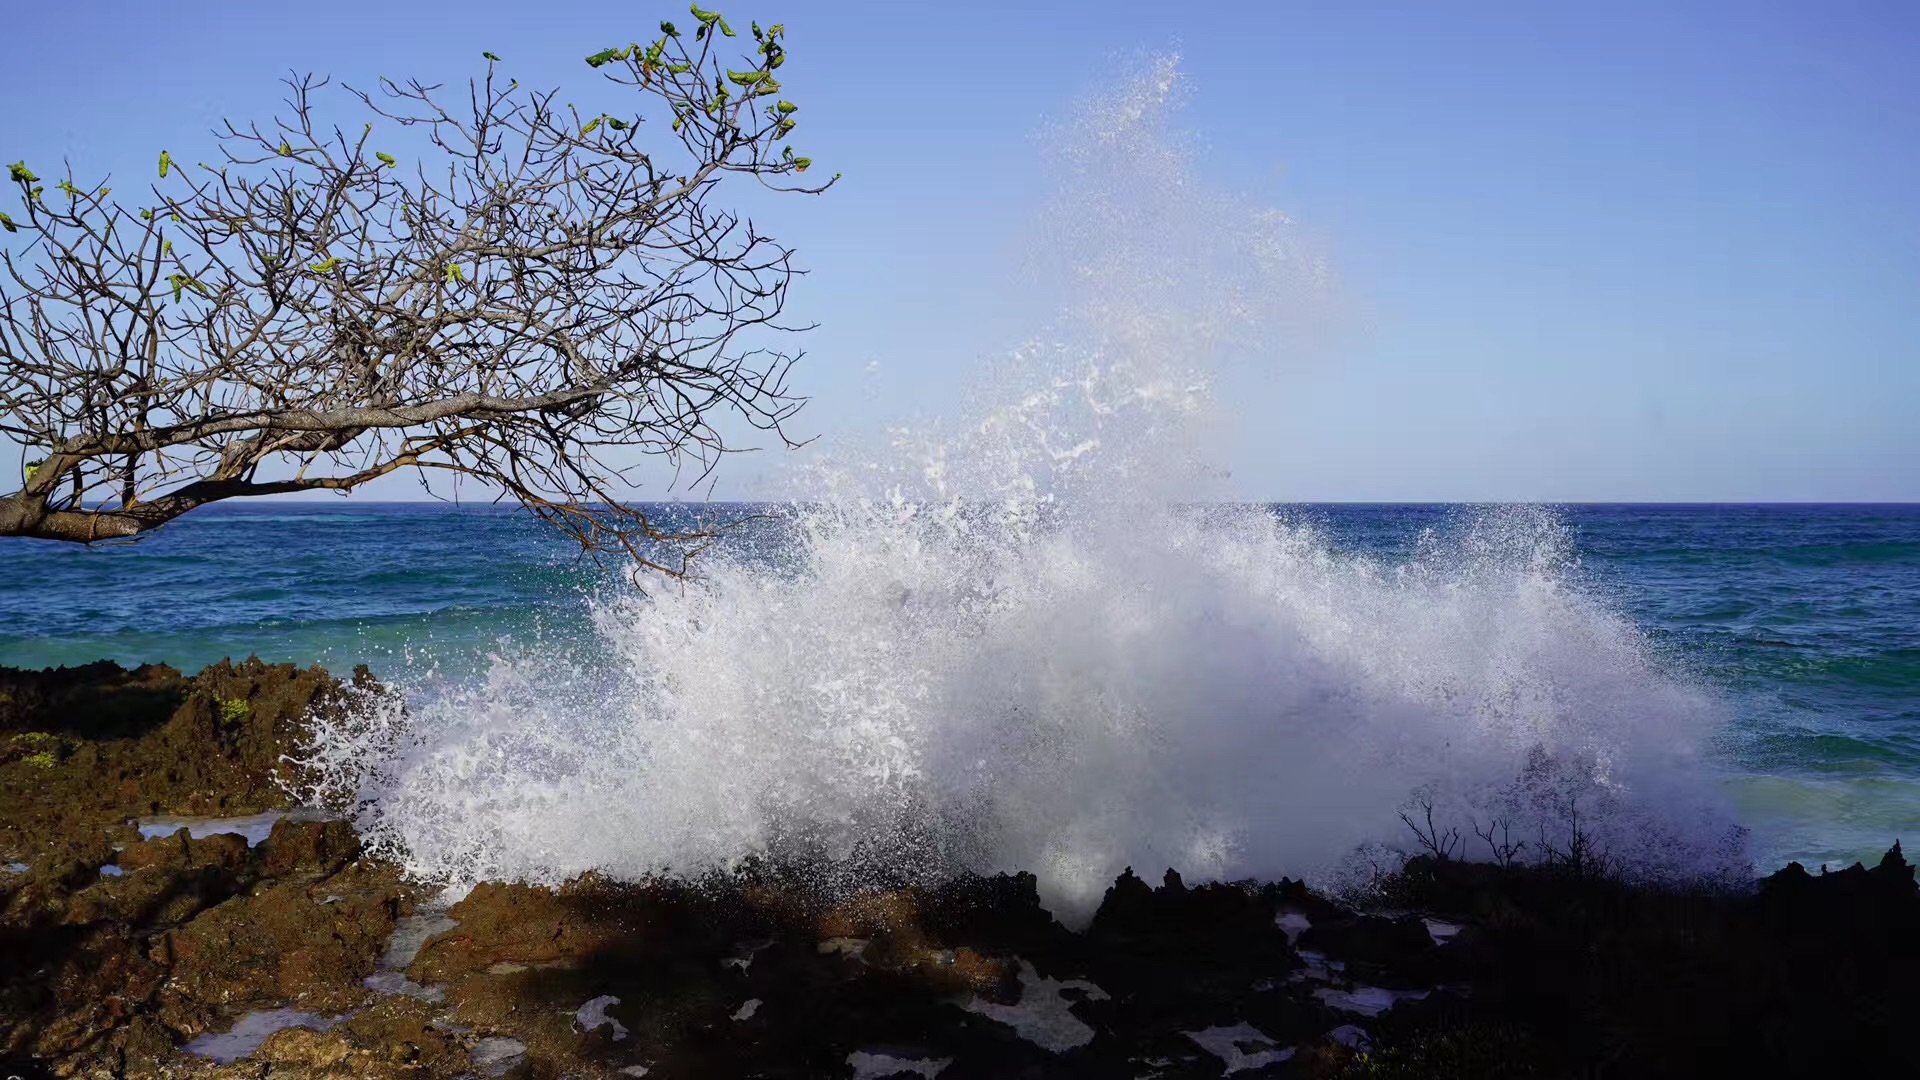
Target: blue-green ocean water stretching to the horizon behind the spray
x=1802, y=624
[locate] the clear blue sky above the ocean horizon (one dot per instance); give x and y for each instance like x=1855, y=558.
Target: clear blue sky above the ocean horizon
x=1587, y=251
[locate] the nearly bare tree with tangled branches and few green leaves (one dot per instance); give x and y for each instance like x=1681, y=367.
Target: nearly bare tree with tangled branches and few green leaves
x=537, y=301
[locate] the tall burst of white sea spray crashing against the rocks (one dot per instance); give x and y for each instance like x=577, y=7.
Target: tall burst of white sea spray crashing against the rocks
x=1036, y=641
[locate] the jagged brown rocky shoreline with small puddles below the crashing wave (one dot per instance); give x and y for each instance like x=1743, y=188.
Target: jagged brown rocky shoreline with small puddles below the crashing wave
x=268, y=946
